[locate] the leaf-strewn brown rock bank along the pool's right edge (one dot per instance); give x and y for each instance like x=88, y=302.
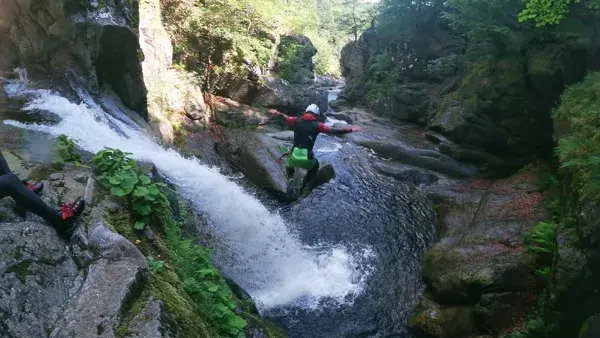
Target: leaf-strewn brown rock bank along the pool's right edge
x=480, y=264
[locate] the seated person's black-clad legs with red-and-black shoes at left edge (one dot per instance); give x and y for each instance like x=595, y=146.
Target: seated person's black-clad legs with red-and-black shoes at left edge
x=26, y=196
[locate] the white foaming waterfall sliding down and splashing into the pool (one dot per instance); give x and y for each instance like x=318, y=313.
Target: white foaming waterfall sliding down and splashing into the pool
x=258, y=250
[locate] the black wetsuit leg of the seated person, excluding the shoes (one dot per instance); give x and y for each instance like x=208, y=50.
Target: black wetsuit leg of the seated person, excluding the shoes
x=10, y=185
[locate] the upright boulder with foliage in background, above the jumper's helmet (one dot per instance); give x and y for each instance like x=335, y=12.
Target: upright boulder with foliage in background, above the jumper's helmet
x=295, y=53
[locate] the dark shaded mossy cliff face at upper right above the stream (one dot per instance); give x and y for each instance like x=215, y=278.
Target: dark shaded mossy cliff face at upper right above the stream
x=493, y=101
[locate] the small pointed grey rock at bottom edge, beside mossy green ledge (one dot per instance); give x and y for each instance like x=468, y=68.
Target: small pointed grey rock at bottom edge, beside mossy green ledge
x=153, y=322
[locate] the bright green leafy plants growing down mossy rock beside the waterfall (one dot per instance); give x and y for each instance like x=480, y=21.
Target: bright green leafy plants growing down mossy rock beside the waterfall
x=200, y=279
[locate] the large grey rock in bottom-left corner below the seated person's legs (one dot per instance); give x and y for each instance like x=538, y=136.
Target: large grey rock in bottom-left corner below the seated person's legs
x=37, y=277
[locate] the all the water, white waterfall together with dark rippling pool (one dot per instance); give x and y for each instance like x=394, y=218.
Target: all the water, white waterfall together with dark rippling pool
x=342, y=262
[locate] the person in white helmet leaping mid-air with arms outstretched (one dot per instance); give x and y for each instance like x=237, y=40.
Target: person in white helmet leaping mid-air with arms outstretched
x=306, y=129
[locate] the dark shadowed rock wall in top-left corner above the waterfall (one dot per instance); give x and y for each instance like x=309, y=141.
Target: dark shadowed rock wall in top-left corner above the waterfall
x=97, y=39
